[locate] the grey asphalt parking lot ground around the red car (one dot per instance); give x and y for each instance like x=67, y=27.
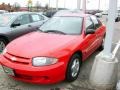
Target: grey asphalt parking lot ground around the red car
x=82, y=83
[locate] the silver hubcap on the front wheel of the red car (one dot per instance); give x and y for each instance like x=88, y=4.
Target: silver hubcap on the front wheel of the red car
x=75, y=67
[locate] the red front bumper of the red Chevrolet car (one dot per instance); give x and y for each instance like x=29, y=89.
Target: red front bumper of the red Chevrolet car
x=39, y=75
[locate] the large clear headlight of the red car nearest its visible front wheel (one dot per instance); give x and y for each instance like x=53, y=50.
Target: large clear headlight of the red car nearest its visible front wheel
x=43, y=61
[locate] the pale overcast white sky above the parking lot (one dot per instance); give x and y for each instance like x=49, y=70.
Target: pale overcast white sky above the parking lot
x=71, y=4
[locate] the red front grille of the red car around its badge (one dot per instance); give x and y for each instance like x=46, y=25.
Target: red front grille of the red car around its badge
x=19, y=59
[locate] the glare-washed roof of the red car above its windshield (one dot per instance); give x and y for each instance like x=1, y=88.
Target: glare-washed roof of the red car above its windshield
x=71, y=13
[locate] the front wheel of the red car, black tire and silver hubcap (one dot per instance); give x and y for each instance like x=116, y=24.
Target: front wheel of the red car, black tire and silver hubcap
x=73, y=68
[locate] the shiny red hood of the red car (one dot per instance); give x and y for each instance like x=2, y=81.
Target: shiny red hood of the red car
x=39, y=44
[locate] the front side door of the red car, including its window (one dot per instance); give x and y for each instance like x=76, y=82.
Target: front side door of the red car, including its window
x=90, y=40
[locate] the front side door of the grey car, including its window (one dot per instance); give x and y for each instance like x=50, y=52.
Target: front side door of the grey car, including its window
x=23, y=28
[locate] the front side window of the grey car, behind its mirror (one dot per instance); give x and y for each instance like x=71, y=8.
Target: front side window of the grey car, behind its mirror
x=24, y=19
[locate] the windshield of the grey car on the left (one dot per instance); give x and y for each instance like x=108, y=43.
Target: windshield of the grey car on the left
x=5, y=19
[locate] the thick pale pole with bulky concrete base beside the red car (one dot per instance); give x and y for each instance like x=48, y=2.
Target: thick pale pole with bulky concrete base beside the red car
x=104, y=71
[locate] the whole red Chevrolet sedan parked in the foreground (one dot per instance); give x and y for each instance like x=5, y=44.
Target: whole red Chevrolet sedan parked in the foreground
x=56, y=51
